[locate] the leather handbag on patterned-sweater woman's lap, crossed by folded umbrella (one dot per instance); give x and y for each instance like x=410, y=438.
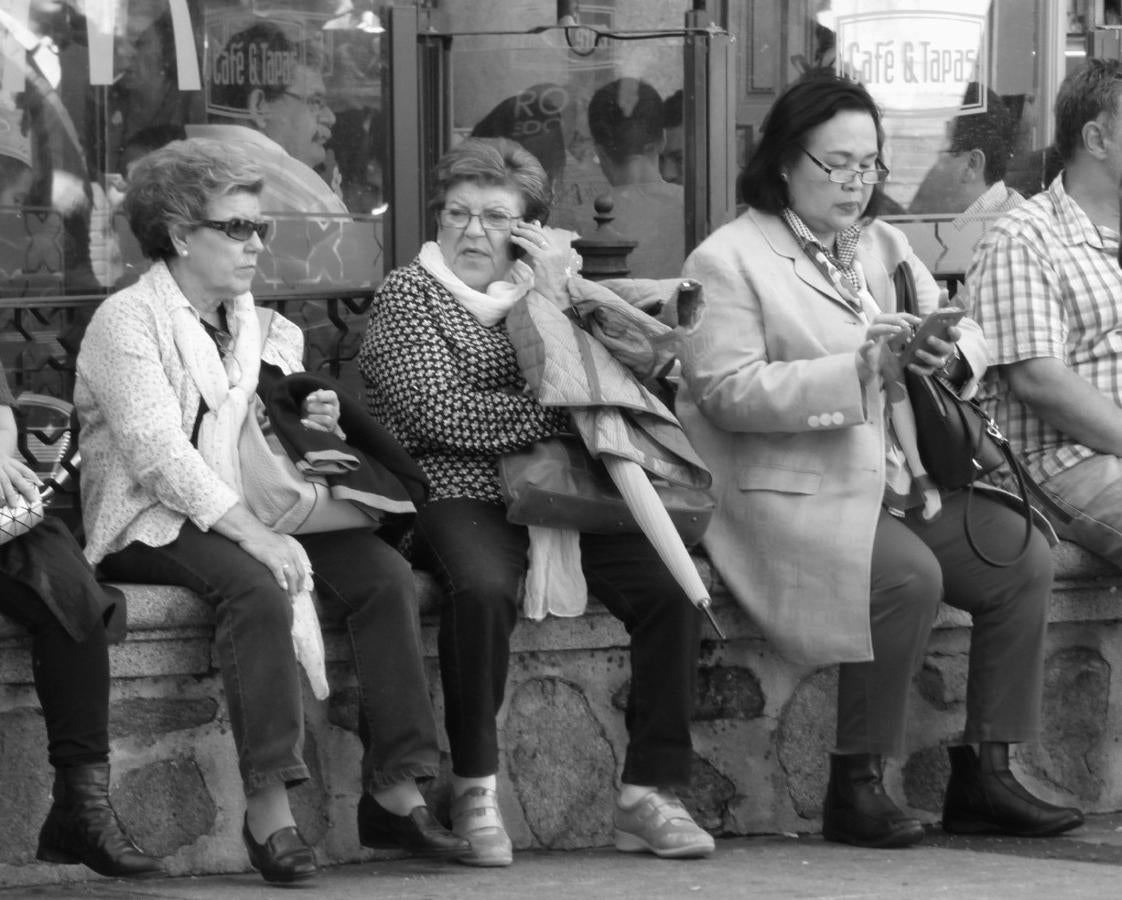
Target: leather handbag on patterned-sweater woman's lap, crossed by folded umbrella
x=556, y=482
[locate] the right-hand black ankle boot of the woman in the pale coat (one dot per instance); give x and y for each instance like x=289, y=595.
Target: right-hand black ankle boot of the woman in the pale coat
x=990, y=801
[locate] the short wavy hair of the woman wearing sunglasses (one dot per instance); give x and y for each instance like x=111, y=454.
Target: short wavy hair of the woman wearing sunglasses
x=172, y=187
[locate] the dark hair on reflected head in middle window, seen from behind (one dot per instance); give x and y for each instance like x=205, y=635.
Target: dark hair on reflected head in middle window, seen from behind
x=627, y=118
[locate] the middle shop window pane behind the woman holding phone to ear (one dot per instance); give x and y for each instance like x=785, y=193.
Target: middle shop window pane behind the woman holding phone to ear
x=597, y=115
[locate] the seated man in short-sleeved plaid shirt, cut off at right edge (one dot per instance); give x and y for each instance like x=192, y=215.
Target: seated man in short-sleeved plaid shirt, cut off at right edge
x=1047, y=290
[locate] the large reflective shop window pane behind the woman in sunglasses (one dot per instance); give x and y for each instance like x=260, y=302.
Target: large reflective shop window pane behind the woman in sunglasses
x=82, y=97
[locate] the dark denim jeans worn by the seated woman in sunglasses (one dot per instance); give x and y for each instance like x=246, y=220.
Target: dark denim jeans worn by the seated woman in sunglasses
x=361, y=581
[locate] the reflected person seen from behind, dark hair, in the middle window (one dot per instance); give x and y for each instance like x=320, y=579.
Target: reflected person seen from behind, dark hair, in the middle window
x=628, y=124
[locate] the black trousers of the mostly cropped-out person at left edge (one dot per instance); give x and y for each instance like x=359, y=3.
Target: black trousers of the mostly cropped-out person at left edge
x=71, y=678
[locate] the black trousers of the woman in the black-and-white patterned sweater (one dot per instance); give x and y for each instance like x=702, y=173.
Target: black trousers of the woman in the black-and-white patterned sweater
x=481, y=559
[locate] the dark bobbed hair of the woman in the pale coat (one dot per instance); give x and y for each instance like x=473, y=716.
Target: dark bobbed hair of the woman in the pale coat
x=813, y=100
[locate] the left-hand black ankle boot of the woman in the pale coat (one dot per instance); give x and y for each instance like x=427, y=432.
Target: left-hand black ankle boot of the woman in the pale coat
x=859, y=812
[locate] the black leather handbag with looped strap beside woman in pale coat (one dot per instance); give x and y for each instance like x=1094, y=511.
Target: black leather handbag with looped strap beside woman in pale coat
x=958, y=442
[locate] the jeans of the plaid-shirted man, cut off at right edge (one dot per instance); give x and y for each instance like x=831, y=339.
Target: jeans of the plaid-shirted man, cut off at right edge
x=1092, y=493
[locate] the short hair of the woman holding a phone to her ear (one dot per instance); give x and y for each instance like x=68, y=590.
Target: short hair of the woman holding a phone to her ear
x=498, y=162
